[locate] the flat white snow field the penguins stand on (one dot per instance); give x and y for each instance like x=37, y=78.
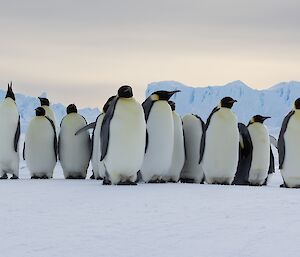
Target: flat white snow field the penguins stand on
x=84, y=218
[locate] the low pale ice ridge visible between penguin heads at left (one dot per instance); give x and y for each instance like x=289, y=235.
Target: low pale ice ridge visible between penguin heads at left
x=27, y=104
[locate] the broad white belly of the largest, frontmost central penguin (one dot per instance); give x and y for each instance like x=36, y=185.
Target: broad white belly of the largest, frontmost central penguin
x=127, y=139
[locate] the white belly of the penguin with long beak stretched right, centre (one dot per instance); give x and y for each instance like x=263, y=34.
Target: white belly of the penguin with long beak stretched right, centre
x=160, y=129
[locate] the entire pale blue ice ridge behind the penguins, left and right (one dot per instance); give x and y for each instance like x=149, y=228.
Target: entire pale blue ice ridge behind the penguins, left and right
x=275, y=101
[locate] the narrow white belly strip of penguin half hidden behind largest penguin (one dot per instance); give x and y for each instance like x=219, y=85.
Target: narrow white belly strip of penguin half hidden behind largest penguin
x=98, y=167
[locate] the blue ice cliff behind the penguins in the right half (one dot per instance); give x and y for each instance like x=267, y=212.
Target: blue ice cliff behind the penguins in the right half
x=276, y=101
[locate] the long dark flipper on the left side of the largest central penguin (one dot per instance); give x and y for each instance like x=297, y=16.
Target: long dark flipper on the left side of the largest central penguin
x=104, y=133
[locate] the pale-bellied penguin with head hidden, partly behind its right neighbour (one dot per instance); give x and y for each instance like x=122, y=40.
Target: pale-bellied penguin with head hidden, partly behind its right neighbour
x=193, y=127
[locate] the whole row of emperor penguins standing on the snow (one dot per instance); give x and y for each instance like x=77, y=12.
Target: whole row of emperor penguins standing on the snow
x=150, y=143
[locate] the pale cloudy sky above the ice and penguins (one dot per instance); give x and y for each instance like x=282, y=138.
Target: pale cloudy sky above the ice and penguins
x=82, y=51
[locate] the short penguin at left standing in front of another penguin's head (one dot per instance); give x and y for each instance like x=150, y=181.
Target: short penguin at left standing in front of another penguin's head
x=40, y=147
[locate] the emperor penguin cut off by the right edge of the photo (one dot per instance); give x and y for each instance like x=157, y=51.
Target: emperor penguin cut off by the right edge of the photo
x=288, y=147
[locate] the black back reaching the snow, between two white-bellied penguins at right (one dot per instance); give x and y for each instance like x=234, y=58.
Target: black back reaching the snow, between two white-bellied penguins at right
x=245, y=157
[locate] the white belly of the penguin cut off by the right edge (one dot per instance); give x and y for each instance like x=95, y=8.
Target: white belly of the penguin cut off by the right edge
x=291, y=166
